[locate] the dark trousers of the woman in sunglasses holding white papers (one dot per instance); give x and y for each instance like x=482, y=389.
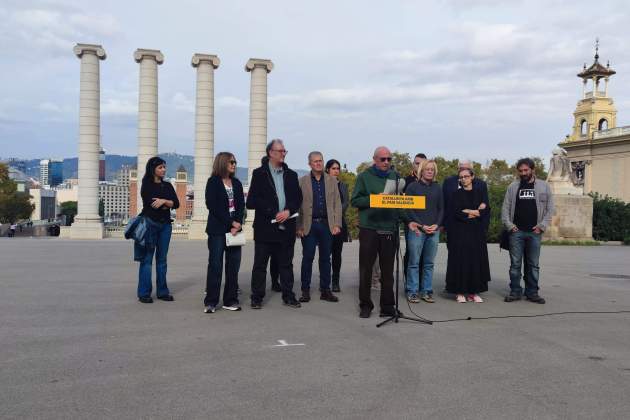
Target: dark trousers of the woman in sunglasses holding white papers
x=216, y=248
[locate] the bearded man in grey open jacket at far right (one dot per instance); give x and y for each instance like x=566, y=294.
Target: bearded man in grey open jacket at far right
x=526, y=213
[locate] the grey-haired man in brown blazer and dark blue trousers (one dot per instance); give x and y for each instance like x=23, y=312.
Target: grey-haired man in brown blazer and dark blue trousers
x=319, y=220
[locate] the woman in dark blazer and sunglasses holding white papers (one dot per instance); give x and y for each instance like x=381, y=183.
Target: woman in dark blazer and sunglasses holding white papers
x=226, y=206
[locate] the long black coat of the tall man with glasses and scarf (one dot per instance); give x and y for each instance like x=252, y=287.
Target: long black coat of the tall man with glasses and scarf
x=262, y=198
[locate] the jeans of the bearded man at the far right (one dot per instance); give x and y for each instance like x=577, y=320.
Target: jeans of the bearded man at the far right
x=524, y=245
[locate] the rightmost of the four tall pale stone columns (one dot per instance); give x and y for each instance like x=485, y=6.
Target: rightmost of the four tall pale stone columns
x=257, y=112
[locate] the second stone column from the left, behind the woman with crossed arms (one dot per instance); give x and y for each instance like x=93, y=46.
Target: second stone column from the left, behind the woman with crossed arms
x=147, y=110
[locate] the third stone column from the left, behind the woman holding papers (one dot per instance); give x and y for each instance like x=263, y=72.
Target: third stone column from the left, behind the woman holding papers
x=204, y=140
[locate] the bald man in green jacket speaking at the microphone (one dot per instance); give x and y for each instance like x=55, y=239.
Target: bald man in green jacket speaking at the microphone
x=377, y=230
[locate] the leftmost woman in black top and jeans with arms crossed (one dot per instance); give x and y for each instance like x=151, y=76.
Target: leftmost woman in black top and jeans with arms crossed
x=158, y=198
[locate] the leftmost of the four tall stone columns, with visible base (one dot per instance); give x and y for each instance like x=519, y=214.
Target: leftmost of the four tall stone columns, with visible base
x=87, y=223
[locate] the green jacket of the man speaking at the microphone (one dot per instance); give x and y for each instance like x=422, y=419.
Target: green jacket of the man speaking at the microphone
x=376, y=219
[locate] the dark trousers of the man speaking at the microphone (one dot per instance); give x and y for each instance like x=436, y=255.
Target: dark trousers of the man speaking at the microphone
x=371, y=244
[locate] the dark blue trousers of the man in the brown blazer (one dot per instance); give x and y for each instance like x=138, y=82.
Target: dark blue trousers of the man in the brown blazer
x=319, y=236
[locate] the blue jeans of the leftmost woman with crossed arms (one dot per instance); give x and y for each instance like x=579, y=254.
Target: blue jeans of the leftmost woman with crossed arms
x=160, y=251
